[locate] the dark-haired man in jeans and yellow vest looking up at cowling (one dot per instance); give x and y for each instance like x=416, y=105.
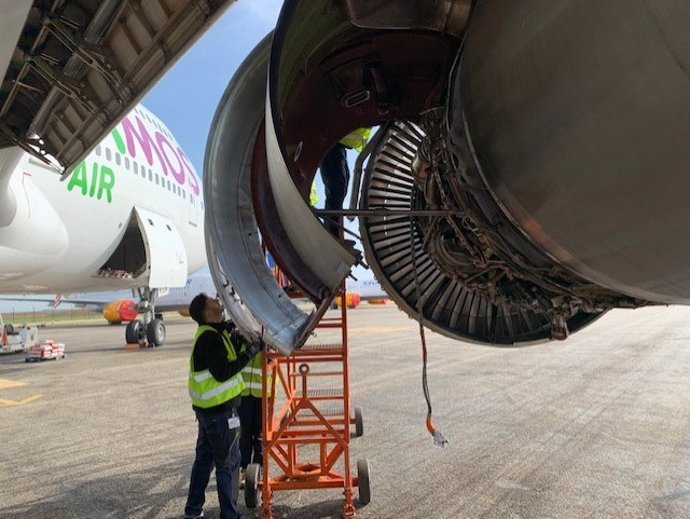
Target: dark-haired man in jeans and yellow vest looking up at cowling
x=215, y=386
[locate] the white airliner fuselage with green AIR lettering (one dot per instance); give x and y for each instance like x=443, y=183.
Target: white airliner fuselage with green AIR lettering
x=64, y=231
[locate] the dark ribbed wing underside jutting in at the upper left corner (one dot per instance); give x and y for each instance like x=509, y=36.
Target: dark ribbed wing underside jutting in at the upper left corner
x=71, y=70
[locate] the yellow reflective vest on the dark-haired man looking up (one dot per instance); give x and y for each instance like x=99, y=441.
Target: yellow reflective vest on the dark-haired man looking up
x=205, y=390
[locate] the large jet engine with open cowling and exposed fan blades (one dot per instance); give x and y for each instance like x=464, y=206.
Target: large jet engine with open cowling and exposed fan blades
x=529, y=173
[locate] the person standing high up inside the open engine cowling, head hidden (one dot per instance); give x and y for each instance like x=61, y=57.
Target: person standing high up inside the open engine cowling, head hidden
x=335, y=173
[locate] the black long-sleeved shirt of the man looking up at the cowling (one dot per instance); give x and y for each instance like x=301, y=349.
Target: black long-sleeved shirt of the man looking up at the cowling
x=210, y=353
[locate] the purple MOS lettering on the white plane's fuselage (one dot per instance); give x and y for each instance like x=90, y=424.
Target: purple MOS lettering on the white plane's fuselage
x=170, y=156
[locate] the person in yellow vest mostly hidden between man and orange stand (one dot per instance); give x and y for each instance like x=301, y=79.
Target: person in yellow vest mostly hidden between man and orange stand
x=251, y=449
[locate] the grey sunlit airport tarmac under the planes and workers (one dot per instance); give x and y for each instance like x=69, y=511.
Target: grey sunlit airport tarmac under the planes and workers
x=597, y=426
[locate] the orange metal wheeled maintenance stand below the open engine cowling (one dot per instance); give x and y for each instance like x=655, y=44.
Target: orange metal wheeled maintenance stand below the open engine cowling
x=306, y=424
